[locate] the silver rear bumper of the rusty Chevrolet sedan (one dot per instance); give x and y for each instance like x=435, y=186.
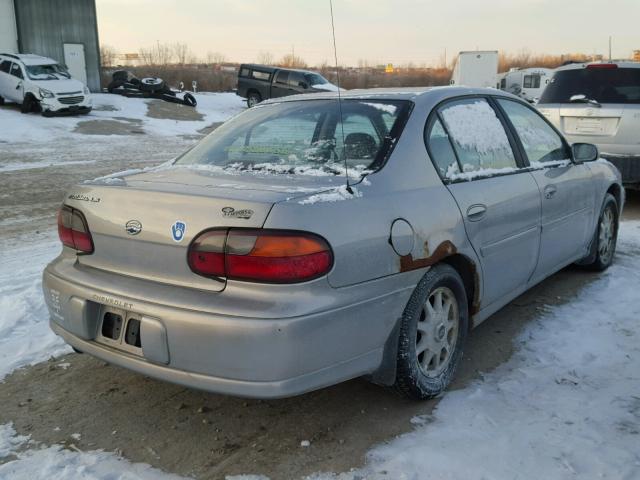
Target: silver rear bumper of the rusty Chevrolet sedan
x=238, y=355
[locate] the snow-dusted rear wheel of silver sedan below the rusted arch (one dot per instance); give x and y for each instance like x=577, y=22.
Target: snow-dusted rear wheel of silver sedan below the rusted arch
x=421, y=375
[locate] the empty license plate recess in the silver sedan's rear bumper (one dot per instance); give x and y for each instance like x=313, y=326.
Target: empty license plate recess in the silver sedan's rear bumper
x=120, y=329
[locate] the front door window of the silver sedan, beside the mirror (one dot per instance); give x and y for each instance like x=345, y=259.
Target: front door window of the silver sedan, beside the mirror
x=541, y=142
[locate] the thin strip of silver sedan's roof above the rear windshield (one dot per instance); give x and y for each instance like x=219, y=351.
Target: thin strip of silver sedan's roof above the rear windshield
x=414, y=94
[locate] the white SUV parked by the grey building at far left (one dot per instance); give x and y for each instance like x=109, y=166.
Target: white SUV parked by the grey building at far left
x=40, y=84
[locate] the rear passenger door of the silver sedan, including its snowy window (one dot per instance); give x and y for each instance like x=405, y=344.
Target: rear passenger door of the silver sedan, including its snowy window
x=499, y=201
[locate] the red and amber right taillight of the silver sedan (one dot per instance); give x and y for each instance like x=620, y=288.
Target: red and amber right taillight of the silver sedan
x=270, y=256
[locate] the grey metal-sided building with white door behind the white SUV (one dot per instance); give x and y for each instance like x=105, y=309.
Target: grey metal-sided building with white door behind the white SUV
x=65, y=30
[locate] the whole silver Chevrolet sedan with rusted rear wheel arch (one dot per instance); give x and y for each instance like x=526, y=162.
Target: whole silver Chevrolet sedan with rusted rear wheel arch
x=312, y=239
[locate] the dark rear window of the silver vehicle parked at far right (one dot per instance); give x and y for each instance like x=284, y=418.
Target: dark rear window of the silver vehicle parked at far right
x=604, y=85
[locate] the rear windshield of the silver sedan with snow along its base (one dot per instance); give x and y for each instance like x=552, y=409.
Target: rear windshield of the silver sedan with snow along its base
x=304, y=137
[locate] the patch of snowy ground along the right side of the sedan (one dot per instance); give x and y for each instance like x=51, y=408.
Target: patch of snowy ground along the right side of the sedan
x=567, y=405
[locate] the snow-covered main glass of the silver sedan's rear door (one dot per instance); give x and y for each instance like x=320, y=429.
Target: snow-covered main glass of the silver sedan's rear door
x=478, y=137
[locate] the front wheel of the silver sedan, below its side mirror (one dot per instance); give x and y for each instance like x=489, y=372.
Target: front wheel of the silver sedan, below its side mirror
x=606, y=235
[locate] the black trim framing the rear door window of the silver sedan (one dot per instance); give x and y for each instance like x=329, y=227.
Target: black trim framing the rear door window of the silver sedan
x=513, y=140
